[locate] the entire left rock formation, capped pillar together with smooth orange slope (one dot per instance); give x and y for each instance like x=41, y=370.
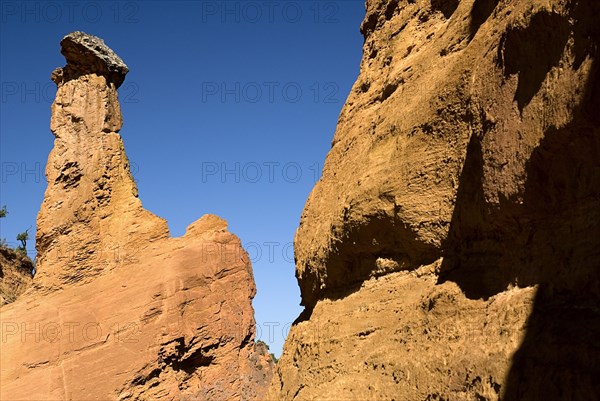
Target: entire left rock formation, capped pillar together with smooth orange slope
x=118, y=309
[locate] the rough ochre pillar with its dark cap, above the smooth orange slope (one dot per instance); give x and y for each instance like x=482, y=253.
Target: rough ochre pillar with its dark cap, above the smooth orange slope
x=91, y=219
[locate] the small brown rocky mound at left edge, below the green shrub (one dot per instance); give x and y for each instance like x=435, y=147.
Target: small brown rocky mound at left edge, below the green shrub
x=15, y=274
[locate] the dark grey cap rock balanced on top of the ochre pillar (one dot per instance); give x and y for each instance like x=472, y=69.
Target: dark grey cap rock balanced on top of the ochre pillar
x=88, y=54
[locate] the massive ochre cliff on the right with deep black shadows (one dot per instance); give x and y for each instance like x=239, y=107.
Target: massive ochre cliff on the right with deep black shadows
x=450, y=250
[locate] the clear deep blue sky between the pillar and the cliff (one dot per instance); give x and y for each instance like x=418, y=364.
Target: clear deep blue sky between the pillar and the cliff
x=229, y=108
